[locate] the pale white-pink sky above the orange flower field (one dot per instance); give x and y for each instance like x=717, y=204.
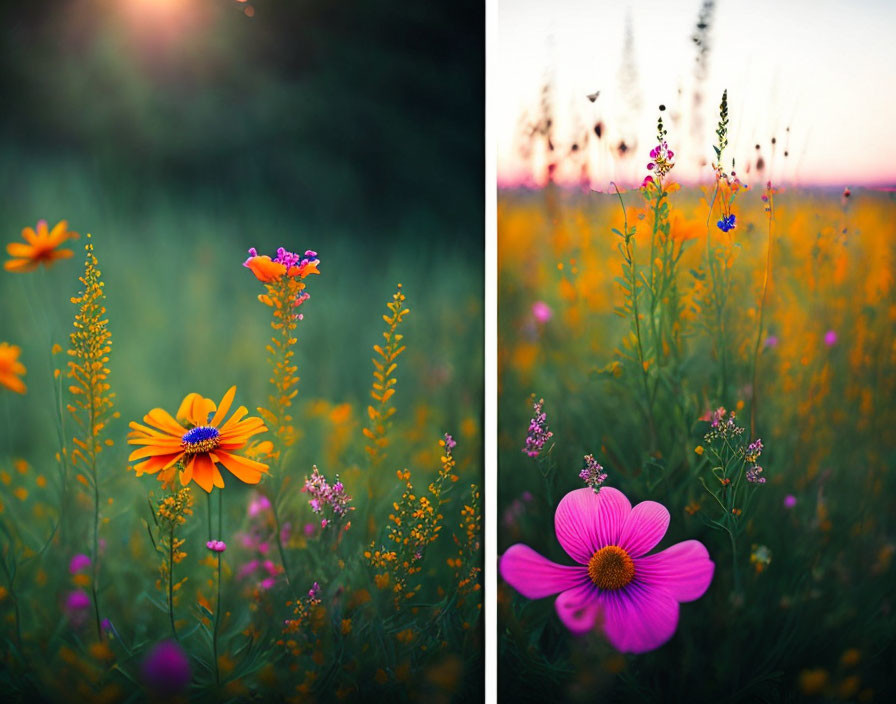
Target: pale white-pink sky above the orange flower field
x=826, y=69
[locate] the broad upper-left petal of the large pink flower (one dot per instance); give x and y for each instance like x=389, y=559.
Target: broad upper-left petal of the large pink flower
x=585, y=522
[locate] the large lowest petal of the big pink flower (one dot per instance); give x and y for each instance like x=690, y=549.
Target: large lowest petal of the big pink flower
x=639, y=617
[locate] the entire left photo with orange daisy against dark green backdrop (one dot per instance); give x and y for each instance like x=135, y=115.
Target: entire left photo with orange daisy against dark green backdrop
x=241, y=351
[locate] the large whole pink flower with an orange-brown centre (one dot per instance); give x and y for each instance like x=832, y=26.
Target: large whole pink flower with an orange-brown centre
x=634, y=595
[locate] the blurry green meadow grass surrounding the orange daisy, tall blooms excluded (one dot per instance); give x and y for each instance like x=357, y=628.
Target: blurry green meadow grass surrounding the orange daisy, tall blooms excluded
x=184, y=317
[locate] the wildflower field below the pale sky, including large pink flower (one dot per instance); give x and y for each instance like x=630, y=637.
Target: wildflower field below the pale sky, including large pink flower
x=726, y=352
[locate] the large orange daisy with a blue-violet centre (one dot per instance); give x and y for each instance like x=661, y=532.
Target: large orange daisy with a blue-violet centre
x=196, y=443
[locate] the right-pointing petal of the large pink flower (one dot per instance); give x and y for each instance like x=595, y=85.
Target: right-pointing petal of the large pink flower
x=684, y=569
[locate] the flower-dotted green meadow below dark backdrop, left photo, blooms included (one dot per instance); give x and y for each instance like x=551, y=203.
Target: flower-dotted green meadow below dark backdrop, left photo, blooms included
x=229, y=476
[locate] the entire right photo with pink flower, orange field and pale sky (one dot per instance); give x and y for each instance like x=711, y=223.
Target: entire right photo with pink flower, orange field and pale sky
x=696, y=244
